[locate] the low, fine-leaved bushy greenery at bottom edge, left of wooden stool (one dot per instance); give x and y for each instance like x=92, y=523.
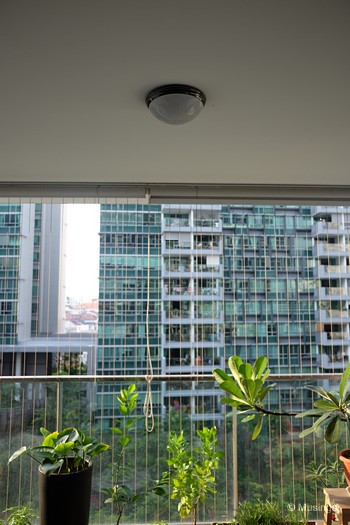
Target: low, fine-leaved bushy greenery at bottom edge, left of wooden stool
x=266, y=513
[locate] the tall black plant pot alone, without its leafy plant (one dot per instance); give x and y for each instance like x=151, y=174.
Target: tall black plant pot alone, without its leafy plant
x=64, y=499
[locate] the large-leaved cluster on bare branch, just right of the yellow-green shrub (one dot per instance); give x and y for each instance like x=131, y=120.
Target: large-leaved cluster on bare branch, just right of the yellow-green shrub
x=247, y=390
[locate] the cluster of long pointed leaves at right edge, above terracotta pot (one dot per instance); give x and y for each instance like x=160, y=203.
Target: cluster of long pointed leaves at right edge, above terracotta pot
x=331, y=409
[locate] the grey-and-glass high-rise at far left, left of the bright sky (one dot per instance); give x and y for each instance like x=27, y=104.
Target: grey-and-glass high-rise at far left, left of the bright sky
x=32, y=286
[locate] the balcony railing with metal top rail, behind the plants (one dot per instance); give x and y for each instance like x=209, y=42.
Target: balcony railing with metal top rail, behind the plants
x=187, y=402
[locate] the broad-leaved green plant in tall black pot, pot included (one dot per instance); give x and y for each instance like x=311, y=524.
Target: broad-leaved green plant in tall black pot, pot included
x=65, y=473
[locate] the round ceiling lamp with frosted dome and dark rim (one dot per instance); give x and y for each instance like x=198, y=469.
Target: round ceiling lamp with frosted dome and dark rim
x=175, y=103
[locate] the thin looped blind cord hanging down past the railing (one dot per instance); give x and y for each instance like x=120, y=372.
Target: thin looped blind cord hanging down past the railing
x=148, y=404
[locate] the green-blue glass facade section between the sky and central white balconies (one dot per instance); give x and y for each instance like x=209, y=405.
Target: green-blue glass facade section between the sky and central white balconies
x=130, y=331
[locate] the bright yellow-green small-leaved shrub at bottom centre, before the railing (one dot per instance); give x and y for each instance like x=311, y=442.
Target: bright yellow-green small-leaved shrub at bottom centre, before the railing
x=192, y=475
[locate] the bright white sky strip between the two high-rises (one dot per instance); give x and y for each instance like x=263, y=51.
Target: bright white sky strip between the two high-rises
x=82, y=251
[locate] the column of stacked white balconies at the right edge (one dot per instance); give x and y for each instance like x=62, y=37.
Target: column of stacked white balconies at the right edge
x=331, y=233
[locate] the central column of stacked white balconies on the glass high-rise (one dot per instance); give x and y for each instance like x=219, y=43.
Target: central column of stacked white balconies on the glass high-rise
x=192, y=306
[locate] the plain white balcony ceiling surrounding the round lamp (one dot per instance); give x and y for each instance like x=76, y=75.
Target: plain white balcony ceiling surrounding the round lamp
x=75, y=73
